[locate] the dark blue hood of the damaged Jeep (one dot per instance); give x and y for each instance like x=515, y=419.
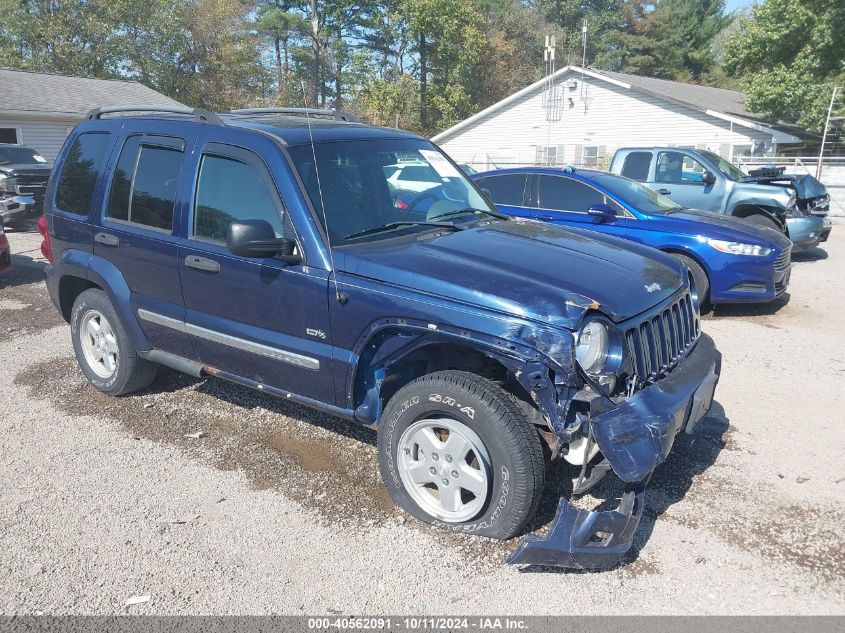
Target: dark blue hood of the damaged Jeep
x=522, y=268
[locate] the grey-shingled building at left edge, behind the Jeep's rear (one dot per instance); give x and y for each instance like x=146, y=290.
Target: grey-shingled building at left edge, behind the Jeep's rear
x=39, y=110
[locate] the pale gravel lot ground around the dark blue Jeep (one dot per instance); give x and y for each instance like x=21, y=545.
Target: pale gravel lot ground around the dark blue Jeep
x=277, y=509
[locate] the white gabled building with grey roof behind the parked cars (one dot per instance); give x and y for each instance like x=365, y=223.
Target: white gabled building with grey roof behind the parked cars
x=581, y=116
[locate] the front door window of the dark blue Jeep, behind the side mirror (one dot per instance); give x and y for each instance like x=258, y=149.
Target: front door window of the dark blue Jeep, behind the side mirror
x=230, y=190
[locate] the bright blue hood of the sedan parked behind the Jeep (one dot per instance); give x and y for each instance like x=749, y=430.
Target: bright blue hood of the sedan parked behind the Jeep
x=717, y=226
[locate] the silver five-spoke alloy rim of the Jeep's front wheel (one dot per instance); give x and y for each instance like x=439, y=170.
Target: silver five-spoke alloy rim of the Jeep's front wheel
x=445, y=468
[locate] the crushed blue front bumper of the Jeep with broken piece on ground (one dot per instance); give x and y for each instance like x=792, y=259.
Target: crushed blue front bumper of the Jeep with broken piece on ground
x=635, y=437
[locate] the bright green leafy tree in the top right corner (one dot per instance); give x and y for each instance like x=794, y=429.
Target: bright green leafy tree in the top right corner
x=788, y=56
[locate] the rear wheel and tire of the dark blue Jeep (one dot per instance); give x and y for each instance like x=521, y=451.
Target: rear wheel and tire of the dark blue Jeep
x=103, y=349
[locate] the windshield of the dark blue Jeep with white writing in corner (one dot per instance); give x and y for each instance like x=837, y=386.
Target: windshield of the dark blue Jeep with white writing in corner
x=369, y=184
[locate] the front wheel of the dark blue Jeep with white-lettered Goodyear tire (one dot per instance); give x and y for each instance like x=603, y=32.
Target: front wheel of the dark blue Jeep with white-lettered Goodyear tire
x=456, y=451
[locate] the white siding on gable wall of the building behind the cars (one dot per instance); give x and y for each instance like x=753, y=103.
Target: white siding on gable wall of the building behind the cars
x=614, y=117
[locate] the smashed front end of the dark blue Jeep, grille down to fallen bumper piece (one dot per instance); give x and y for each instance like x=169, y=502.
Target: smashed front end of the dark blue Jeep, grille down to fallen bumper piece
x=634, y=434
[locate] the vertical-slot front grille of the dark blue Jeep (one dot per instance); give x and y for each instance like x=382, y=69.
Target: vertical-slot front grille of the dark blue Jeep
x=658, y=343
